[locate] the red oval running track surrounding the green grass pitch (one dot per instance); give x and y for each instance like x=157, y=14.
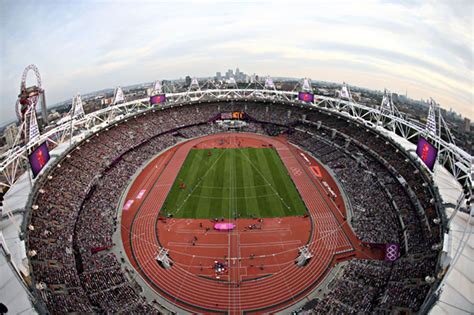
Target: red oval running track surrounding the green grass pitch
x=280, y=283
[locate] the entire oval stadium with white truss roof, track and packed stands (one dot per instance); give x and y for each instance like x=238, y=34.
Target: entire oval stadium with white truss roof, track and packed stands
x=236, y=199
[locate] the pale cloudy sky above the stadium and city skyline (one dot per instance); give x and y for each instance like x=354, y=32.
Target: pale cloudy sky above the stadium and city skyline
x=422, y=48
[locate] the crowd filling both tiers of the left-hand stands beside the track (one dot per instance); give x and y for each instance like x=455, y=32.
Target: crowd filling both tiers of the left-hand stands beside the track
x=76, y=216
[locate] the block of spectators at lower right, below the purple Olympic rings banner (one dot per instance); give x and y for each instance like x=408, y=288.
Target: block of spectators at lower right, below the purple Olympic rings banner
x=368, y=286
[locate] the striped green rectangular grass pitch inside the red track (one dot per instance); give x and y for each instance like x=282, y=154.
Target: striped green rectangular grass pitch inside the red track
x=233, y=183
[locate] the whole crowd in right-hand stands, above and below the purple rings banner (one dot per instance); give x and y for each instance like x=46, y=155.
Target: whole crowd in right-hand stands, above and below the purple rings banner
x=404, y=286
